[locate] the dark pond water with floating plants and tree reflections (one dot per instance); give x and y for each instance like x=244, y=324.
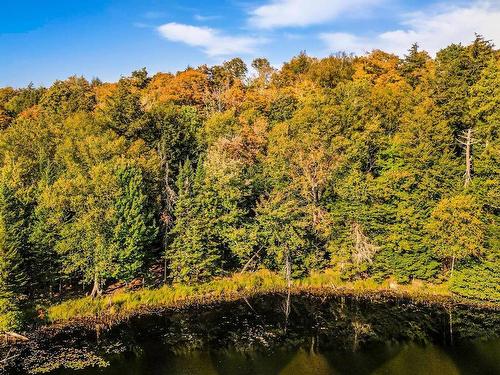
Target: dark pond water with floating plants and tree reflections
x=320, y=336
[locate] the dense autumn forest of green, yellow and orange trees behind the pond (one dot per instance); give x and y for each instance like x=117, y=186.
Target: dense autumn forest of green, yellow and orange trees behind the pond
x=377, y=167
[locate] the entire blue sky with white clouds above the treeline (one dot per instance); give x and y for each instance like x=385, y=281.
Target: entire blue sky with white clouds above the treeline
x=41, y=41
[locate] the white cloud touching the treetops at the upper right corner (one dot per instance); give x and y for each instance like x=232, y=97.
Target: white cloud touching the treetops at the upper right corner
x=432, y=31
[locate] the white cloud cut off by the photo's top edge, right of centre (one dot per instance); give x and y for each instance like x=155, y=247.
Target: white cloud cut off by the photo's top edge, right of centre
x=290, y=13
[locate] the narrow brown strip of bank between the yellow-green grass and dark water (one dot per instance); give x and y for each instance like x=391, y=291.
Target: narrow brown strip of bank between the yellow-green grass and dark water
x=108, y=321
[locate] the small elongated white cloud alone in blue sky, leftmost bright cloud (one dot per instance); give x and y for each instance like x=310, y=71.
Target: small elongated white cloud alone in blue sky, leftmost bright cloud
x=212, y=41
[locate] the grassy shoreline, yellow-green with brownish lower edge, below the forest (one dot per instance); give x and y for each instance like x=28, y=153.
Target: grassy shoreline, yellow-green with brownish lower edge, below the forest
x=115, y=308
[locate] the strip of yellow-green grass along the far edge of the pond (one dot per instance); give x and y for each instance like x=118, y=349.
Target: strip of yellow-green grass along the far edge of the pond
x=123, y=304
